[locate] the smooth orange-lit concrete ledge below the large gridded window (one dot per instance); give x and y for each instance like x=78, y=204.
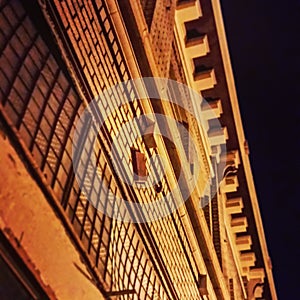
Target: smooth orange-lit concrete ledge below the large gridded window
x=24, y=211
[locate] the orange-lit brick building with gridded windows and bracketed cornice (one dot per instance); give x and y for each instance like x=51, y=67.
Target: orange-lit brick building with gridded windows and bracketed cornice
x=56, y=57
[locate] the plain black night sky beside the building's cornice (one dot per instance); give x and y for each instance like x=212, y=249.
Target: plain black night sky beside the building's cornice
x=264, y=43
